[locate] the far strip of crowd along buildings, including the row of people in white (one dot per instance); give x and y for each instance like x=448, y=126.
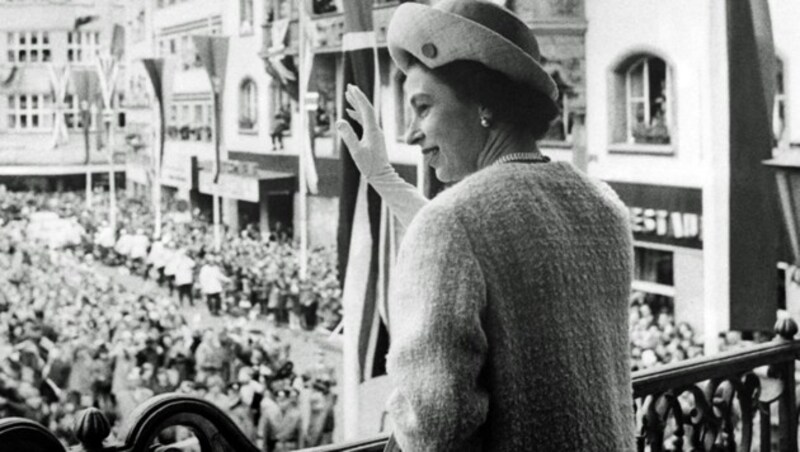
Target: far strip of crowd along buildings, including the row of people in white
x=252, y=272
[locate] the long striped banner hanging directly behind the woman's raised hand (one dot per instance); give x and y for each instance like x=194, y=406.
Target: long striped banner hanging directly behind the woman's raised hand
x=364, y=244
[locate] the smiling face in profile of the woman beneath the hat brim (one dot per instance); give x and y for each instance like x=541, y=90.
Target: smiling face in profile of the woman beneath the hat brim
x=447, y=128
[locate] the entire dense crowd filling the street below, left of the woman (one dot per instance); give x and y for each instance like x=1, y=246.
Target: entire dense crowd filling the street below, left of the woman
x=73, y=337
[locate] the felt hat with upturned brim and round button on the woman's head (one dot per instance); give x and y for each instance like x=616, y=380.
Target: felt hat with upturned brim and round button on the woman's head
x=473, y=30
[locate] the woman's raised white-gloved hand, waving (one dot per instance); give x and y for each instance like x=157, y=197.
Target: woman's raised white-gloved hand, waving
x=369, y=153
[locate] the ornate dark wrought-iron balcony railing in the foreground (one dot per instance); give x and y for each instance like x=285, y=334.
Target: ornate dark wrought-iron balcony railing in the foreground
x=723, y=402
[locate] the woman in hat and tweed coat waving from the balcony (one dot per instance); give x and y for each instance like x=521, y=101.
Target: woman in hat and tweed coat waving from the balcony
x=479, y=300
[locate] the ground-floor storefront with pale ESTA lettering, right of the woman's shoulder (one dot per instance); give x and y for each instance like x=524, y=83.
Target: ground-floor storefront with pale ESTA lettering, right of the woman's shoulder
x=667, y=224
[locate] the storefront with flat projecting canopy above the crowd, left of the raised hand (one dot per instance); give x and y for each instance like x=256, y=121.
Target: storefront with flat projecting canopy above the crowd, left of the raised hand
x=251, y=196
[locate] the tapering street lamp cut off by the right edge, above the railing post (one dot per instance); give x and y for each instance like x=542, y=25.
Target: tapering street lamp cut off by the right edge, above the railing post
x=787, y=175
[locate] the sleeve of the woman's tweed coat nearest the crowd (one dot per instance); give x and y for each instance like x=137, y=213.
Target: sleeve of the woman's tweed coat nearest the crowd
x=438, y=345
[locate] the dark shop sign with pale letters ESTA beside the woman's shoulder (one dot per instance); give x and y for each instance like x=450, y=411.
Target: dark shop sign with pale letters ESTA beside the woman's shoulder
x=664, y=214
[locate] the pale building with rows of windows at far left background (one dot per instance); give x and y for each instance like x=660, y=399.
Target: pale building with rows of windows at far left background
x=42, y=141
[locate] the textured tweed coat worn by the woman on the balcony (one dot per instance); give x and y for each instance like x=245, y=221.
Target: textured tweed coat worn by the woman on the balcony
x=508, y=316
